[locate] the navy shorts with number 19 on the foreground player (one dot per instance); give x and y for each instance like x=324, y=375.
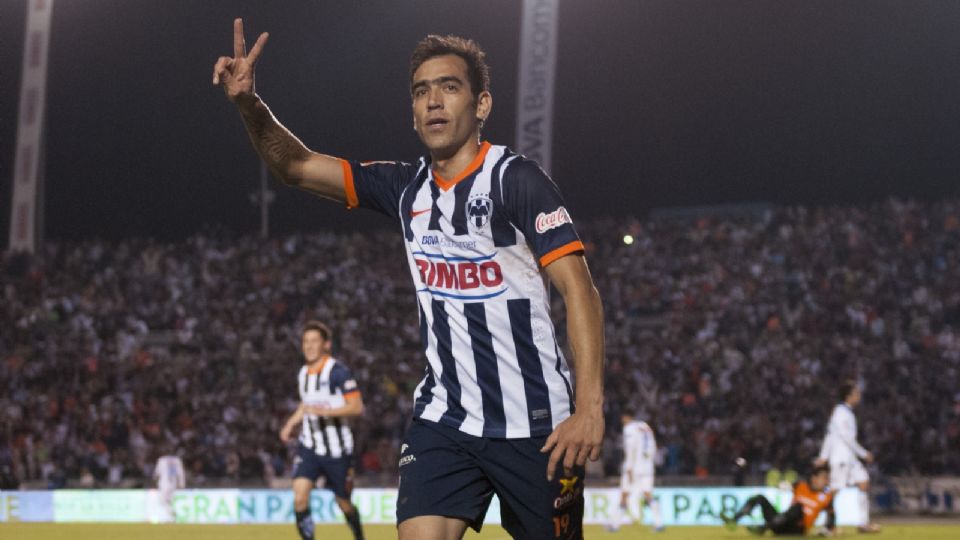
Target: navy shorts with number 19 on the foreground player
x=445, y=472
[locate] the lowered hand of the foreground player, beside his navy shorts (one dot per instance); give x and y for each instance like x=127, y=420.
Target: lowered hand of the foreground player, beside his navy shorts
x=574, y=441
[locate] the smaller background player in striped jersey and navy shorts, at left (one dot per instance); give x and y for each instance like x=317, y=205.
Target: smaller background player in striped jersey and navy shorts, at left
x=328, y=397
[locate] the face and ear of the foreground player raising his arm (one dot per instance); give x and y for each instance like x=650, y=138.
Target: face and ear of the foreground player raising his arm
x=446, y=114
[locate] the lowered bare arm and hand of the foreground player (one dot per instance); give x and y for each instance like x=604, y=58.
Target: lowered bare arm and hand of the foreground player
x=579, y=437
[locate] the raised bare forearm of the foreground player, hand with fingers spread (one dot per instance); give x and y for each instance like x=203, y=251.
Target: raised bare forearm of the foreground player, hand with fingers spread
x=288, y=158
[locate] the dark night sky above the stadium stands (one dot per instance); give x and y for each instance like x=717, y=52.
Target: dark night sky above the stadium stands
x=659, y=103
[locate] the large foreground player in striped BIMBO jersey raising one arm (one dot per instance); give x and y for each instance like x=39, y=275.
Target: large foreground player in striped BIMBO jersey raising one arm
x=486, y=232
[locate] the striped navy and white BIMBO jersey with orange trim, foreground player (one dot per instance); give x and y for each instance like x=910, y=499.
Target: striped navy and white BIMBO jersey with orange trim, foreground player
x=476, y=246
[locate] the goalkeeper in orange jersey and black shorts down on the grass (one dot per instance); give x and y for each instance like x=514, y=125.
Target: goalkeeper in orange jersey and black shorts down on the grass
x=810, y=497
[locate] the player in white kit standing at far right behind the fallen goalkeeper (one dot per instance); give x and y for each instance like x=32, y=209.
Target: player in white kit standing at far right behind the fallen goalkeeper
x=844, y=454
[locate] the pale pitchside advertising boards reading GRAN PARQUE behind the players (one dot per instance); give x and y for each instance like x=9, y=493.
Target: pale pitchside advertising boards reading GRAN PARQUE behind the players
x=680, y=506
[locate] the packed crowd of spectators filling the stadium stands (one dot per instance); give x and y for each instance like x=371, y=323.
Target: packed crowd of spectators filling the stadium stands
x=729, y=334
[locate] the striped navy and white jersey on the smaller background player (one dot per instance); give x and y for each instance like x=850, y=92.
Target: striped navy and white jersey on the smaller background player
x=327, y=384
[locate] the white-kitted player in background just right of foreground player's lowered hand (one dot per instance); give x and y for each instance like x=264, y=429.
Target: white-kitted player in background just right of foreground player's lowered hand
x=636, y=478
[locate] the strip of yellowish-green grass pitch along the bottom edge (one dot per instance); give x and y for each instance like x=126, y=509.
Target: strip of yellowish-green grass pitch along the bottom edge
x=96, y=531
